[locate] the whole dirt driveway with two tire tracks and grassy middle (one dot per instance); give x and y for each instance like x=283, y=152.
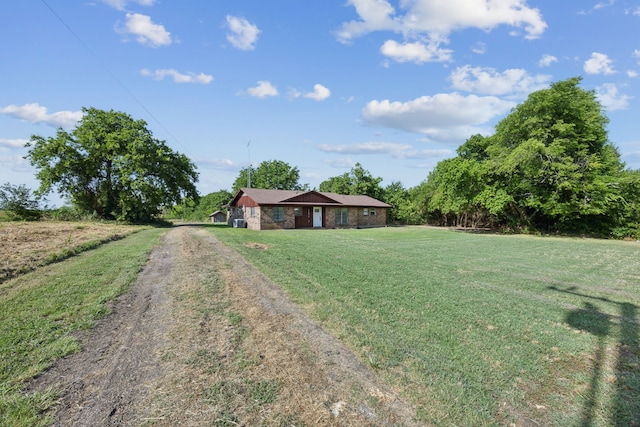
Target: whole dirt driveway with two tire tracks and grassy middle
x=206, y=339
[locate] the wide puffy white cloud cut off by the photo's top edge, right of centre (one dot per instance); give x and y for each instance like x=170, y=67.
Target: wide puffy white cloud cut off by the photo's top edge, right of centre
x=440, y=18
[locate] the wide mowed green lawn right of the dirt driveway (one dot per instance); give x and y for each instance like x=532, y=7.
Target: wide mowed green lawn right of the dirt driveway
x=474, y=329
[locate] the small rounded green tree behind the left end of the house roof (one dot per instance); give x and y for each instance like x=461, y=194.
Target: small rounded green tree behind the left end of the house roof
x=270, y=174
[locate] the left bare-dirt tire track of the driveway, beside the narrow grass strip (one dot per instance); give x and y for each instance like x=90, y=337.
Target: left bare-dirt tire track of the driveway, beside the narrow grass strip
x=102, y=384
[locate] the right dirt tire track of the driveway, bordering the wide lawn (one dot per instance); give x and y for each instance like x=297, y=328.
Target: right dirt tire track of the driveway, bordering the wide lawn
x=348, y=385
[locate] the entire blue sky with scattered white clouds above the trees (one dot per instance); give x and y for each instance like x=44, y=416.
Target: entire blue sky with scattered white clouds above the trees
x=320, y=84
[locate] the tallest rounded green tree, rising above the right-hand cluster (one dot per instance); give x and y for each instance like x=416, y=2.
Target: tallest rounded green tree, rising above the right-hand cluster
x=552, y=155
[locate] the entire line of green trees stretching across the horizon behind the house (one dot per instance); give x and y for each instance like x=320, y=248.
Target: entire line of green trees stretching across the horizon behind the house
x=549, y=167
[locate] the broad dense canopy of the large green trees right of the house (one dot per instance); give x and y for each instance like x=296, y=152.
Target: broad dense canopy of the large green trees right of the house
x=548, y=166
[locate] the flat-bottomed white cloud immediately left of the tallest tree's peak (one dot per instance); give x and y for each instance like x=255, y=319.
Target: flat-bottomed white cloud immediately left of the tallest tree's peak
x=488, y=81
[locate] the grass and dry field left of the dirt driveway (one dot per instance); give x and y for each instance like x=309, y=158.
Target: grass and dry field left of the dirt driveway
x=40, y=310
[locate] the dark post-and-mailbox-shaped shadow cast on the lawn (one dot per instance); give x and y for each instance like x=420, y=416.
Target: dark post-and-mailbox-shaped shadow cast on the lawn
x=626, y=402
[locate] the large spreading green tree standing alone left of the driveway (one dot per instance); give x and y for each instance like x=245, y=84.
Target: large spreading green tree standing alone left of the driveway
x=112, y=165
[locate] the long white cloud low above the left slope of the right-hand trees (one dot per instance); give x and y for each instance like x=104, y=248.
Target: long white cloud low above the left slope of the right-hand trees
x=442, y=116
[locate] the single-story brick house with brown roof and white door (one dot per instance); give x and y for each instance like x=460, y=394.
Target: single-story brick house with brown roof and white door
x=284, y=209
